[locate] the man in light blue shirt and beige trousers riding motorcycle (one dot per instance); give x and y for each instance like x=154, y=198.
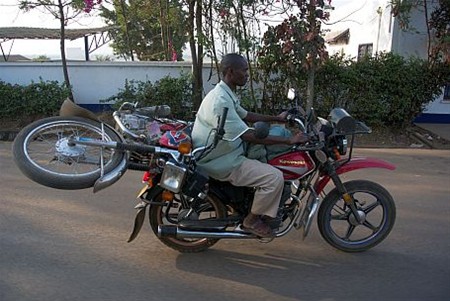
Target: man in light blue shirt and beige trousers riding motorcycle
x=227, y=162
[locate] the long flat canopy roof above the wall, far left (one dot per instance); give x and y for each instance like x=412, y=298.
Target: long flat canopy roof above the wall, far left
x=8, y=33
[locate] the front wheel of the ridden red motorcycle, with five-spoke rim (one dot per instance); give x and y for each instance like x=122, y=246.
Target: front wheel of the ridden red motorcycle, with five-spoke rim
x=339, y=227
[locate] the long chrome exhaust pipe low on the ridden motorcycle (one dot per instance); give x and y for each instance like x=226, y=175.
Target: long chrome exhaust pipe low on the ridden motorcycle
x=175, y=231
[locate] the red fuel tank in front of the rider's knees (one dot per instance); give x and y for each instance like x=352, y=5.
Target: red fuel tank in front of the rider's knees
x=294, y=165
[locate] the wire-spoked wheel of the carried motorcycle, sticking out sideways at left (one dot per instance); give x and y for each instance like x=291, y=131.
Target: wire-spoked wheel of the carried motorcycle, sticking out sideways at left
x=42, y=152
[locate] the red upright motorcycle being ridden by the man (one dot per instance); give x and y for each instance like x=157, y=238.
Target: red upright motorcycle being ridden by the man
x=190, y=212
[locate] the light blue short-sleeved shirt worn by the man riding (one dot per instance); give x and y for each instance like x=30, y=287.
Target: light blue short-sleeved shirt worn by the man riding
x=227, y=155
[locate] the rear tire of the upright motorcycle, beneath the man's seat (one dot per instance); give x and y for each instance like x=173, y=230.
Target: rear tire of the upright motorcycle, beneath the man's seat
x=159, y=215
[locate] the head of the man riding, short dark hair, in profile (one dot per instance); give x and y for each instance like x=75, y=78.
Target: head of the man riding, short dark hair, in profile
x=234, y=69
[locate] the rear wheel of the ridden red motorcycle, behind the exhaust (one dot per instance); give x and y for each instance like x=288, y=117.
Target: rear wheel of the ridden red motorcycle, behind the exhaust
x=171, y=213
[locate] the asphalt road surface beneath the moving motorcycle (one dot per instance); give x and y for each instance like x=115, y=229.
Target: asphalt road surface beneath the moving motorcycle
x=71, y=245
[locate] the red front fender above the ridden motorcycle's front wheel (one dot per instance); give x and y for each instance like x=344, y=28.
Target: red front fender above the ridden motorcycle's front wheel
x=354, y=164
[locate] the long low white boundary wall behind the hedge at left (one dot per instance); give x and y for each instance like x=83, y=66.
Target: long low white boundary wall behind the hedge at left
x=93, y=81
